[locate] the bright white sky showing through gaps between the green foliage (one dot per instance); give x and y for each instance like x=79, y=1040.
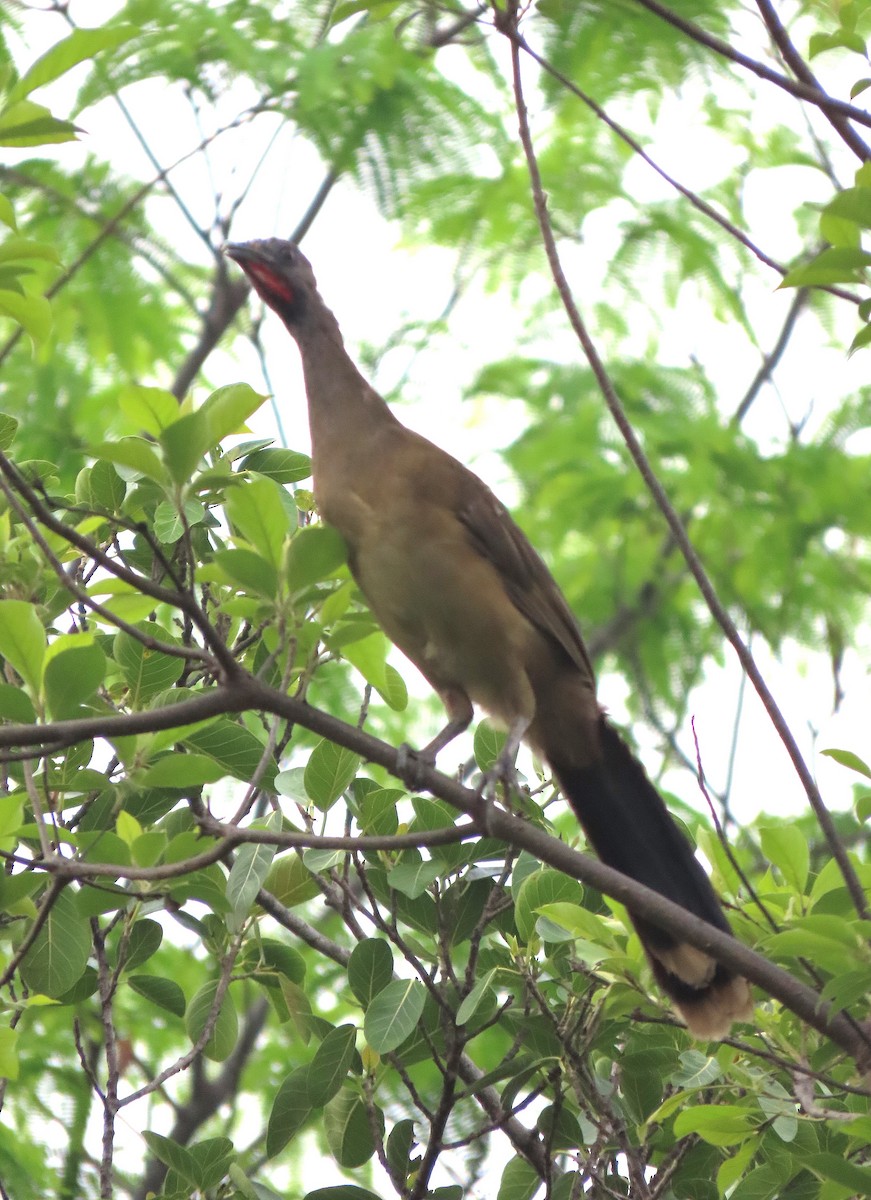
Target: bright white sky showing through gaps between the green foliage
x=374, y=284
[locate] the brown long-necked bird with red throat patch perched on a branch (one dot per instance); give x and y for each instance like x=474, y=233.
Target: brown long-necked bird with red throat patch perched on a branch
x=459, y=589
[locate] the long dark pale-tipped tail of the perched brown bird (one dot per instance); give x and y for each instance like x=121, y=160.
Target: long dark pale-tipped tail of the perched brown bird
x=630, y=829
